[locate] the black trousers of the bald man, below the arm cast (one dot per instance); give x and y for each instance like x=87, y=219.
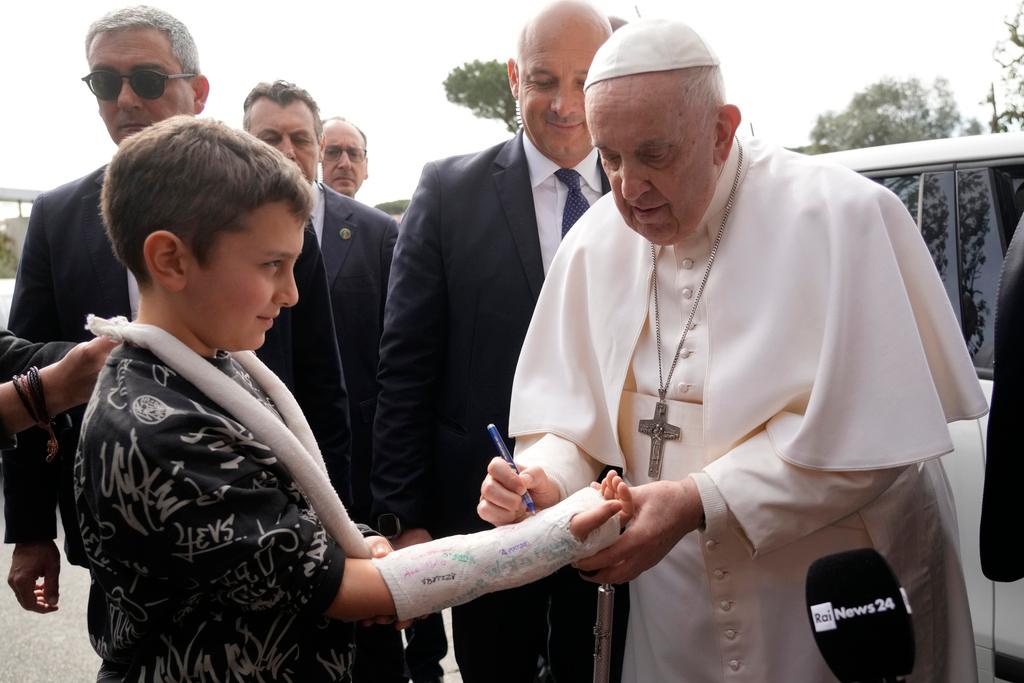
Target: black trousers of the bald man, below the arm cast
x=501, y=637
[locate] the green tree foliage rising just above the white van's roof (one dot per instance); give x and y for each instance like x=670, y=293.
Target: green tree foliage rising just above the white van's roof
x=888, y=112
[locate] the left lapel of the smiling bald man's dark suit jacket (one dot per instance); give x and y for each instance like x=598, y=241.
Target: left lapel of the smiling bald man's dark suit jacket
x=517, y=196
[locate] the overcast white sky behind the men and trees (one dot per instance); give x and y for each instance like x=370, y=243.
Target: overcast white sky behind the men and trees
x=381, y=64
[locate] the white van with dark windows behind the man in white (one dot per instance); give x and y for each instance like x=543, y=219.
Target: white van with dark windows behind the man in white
x=968, y=197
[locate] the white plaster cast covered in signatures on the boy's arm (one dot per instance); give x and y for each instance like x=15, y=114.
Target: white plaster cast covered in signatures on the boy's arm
x=430, y=577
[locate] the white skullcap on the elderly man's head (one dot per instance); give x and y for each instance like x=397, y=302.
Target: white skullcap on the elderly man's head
x=650, y=46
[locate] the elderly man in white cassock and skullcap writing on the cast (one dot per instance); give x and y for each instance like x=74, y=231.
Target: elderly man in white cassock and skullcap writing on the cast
x=762, y=341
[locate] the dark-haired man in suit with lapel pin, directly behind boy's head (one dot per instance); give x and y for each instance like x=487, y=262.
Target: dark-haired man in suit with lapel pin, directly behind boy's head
x=357, y=242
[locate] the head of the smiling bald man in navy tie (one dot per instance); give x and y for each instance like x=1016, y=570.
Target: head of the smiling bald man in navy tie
x=556, y=50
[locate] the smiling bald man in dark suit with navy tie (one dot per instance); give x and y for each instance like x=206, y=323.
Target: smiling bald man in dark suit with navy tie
x=470, y=264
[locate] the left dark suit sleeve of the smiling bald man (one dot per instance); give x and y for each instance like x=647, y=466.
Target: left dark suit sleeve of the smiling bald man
x=412, y=355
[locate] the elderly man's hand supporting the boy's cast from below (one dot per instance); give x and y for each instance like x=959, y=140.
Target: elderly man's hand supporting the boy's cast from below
x=663, y=514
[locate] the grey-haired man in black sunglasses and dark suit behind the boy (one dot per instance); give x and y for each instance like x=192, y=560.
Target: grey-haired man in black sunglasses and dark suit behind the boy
x=144, y=69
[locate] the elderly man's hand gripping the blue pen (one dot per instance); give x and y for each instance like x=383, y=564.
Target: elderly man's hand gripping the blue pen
x=501, y=494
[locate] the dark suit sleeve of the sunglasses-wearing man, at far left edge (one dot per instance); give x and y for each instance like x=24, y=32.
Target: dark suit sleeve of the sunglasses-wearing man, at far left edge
x=30, y=483
